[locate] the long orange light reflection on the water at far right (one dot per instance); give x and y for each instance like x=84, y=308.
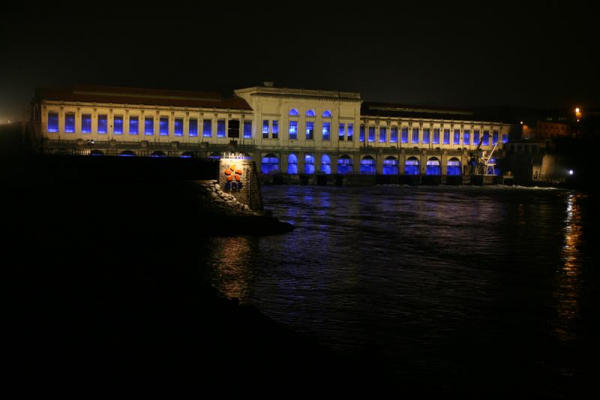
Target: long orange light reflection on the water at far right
x=567, y=294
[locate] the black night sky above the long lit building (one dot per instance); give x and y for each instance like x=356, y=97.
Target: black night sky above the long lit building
x=542, y=54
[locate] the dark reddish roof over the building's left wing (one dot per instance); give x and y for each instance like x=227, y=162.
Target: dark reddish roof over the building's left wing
x=152, y=97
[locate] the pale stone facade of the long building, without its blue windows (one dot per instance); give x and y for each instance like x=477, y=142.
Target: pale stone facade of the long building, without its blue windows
x=274, y=104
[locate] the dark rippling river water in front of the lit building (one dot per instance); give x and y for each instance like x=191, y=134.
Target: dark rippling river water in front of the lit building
x=489, y=289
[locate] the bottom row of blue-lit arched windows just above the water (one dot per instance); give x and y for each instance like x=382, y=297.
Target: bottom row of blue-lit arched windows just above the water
x=368, y=165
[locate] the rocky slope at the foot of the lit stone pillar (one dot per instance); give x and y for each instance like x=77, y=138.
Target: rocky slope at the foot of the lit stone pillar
x=220, y=213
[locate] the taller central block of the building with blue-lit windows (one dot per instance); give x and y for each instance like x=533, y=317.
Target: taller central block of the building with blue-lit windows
x=303, y=131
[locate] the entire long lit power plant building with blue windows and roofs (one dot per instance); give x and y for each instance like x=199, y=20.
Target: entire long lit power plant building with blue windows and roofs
x=290, y=133
